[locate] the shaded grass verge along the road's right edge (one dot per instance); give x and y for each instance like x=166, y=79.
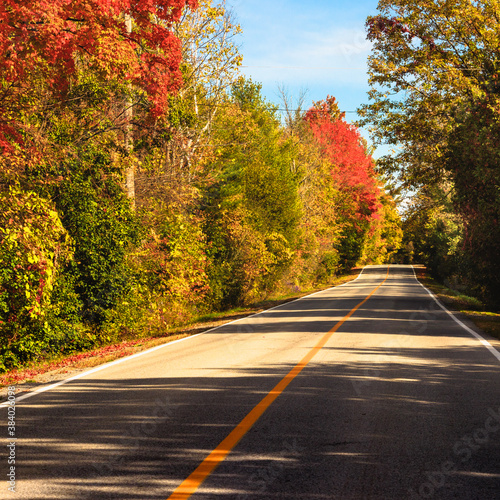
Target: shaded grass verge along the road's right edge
x=474, y=309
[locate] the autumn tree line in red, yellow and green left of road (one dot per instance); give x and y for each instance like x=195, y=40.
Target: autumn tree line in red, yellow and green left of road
x=144, y=181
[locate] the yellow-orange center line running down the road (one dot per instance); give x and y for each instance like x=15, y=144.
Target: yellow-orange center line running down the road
x=194, y=480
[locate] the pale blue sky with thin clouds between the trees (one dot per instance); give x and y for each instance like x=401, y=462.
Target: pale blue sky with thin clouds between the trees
x=318, y=46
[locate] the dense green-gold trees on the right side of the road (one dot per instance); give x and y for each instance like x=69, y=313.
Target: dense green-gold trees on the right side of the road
x=435, y=91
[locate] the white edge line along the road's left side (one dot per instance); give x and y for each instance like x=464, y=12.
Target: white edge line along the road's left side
x=136, y=355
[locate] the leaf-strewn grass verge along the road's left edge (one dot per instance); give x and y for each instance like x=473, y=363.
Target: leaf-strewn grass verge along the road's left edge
x=36, y=373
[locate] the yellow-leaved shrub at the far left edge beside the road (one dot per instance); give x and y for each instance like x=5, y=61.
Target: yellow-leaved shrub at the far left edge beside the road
x=33, y=247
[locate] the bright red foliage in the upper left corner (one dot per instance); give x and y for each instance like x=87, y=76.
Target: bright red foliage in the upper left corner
x=46, y=39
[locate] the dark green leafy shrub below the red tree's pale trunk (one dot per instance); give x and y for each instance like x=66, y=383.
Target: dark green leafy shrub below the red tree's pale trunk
x=99, y=218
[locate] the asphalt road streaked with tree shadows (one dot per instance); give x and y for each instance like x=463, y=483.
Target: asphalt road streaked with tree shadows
x=401, y=402
